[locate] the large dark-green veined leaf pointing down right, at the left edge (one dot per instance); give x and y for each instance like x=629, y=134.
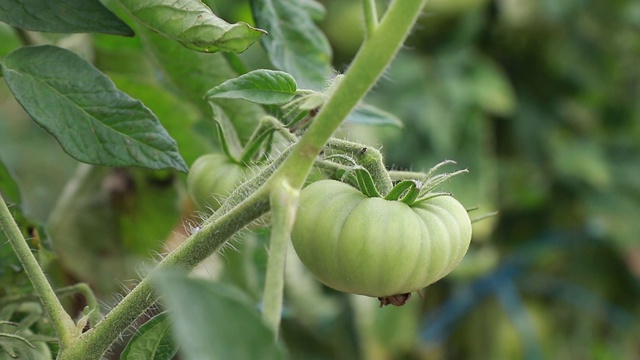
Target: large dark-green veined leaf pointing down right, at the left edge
x=92, y=120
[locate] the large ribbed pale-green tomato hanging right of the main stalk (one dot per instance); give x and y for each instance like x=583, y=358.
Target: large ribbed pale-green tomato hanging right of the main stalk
x=376, y=247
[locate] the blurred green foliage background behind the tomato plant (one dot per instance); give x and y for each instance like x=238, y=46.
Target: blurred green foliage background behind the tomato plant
x=540, y=100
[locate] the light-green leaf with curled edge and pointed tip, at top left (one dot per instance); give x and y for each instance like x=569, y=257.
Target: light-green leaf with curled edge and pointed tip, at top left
x=193, y=24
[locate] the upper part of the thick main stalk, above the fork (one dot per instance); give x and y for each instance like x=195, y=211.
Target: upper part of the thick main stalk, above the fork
x=374, y=56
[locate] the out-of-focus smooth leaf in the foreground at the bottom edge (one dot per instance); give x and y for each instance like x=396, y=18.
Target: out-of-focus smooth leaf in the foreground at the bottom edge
x=215, y=321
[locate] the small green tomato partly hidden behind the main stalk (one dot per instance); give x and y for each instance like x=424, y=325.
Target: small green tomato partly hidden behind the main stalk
x=212, y=177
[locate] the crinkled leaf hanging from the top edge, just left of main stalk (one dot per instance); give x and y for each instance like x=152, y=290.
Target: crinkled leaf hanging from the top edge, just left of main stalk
x=295, y=44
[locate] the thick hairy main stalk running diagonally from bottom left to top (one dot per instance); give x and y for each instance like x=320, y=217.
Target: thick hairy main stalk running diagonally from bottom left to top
x=373, y=57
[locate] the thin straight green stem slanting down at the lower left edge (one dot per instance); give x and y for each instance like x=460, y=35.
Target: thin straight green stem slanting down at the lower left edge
x=61, y=321
